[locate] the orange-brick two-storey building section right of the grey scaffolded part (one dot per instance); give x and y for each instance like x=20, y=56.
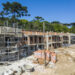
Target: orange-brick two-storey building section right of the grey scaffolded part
x=48, y=40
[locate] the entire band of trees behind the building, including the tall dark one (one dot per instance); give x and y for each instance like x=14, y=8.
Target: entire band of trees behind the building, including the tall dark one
x=14, y=11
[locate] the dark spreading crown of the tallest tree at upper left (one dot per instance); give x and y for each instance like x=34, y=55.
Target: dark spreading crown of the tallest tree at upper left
x=14, y=10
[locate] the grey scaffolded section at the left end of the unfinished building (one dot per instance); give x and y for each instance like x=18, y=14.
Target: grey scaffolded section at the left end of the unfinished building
x=11, y=47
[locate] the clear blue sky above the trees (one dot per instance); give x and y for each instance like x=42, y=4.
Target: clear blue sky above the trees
x=51, y=10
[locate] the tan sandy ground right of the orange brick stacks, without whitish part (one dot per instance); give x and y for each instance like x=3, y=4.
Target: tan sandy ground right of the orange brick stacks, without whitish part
x=65, y=64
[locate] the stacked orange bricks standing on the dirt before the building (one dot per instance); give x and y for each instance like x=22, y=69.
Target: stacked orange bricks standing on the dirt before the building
x=41, y=54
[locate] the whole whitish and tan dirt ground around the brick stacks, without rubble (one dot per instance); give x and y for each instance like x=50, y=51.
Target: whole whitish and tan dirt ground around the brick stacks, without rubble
x=65, y=64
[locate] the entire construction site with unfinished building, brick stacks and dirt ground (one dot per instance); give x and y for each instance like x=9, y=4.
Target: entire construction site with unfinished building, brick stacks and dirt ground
x=36, y=53
